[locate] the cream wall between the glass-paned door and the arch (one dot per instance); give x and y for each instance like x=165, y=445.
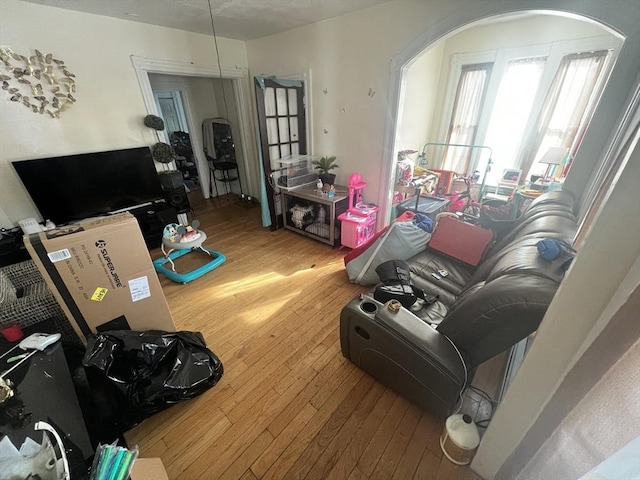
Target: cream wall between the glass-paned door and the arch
x=349, y=57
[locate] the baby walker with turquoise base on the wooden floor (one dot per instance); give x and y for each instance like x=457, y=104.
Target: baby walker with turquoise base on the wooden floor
x=177, y=250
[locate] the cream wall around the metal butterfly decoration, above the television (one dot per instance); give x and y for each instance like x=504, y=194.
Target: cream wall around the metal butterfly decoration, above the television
x=109, y=109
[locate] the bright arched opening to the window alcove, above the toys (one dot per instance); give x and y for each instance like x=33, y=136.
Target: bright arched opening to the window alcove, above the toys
x=524, y=85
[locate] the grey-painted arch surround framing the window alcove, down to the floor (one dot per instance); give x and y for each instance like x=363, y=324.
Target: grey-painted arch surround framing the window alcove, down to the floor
x=557, y=346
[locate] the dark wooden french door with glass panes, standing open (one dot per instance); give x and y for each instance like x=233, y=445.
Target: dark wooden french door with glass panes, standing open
x=282, y=126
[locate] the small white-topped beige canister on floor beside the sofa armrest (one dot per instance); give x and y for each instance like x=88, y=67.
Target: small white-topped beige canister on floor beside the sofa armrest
x=459, y=439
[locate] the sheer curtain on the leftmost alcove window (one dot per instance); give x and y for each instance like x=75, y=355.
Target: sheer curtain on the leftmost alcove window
x=466, y=115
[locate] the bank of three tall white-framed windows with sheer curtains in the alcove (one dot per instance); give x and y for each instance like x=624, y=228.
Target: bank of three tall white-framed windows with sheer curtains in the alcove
x=521, y=102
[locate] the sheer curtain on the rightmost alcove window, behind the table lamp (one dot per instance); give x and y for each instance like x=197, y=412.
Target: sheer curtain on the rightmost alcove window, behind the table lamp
x=566, y=108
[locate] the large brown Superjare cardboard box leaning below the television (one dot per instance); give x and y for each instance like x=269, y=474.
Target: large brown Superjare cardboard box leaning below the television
x=100, y=271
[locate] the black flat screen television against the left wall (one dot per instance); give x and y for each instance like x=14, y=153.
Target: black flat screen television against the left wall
x=73, y=187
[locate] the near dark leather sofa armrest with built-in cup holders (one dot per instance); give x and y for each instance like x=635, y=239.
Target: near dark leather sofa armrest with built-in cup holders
x=404, y=353
